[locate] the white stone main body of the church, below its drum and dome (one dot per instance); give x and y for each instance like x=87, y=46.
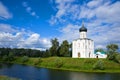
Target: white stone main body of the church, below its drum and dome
x=83, y=46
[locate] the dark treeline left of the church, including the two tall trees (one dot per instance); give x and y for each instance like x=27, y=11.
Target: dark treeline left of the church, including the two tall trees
x=55, y=50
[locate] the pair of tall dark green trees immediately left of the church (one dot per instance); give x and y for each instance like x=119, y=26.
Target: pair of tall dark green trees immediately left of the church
x=62, y=50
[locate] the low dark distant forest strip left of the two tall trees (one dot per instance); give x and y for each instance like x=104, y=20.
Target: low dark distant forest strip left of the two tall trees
x=22, y=52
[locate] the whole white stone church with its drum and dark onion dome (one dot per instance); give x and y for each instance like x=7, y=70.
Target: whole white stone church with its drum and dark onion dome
x=83, y=47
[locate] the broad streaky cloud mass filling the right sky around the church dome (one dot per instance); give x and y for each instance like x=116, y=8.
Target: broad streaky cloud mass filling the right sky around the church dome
x=102, y=18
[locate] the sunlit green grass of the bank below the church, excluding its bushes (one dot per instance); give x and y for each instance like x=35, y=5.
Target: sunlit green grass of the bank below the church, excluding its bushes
x=49, y=64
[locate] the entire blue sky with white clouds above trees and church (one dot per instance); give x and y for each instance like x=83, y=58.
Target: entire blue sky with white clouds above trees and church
x=33, y=23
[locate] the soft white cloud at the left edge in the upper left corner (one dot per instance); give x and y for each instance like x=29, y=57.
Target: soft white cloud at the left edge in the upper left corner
x=4, y=13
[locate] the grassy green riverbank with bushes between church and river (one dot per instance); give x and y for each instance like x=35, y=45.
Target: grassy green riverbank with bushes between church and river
x=65, y=63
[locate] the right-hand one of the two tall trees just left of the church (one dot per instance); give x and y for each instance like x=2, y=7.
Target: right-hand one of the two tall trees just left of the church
x=64, y=48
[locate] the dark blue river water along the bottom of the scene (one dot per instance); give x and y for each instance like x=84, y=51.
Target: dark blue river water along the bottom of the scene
x=33, y=73
